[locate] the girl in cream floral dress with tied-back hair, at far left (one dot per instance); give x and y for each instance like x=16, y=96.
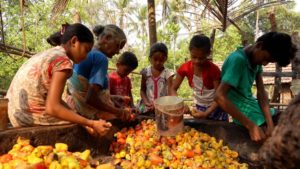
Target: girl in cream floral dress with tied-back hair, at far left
x=36, y=89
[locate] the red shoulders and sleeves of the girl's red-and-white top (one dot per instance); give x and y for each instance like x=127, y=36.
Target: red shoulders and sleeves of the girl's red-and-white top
x=210, y=73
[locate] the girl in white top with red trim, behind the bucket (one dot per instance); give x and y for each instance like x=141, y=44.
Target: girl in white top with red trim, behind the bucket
x=156, y=79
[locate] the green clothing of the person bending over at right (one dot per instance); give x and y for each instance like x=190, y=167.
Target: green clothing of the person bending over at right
x=240, y=75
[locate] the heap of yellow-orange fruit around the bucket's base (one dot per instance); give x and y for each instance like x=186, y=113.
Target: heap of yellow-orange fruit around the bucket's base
x=142, y=147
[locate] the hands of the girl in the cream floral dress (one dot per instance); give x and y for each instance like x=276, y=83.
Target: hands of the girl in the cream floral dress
x=99, y=127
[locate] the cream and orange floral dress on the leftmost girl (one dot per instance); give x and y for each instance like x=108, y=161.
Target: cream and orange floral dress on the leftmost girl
x=29, y=88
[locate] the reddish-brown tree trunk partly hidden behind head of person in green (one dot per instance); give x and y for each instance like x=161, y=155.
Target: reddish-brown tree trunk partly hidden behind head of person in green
x=277, y=80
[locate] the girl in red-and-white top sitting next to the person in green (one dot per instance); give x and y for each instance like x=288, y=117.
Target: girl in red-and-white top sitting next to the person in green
x=203, y=77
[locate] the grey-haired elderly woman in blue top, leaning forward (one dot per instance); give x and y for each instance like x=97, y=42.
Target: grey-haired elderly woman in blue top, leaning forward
x=89, y=82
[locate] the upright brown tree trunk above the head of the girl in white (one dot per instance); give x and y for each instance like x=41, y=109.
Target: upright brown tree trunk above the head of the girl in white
x=152, y=22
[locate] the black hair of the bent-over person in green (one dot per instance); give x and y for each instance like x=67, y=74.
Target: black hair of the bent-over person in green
x=279, y=45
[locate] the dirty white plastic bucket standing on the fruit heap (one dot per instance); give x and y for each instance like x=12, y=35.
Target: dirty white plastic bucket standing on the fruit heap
x=169, y=115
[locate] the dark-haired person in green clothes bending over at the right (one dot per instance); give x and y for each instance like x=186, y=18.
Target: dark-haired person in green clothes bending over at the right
x=240, y=70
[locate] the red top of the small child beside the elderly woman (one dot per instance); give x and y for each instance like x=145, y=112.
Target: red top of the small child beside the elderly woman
x=118, y=85
